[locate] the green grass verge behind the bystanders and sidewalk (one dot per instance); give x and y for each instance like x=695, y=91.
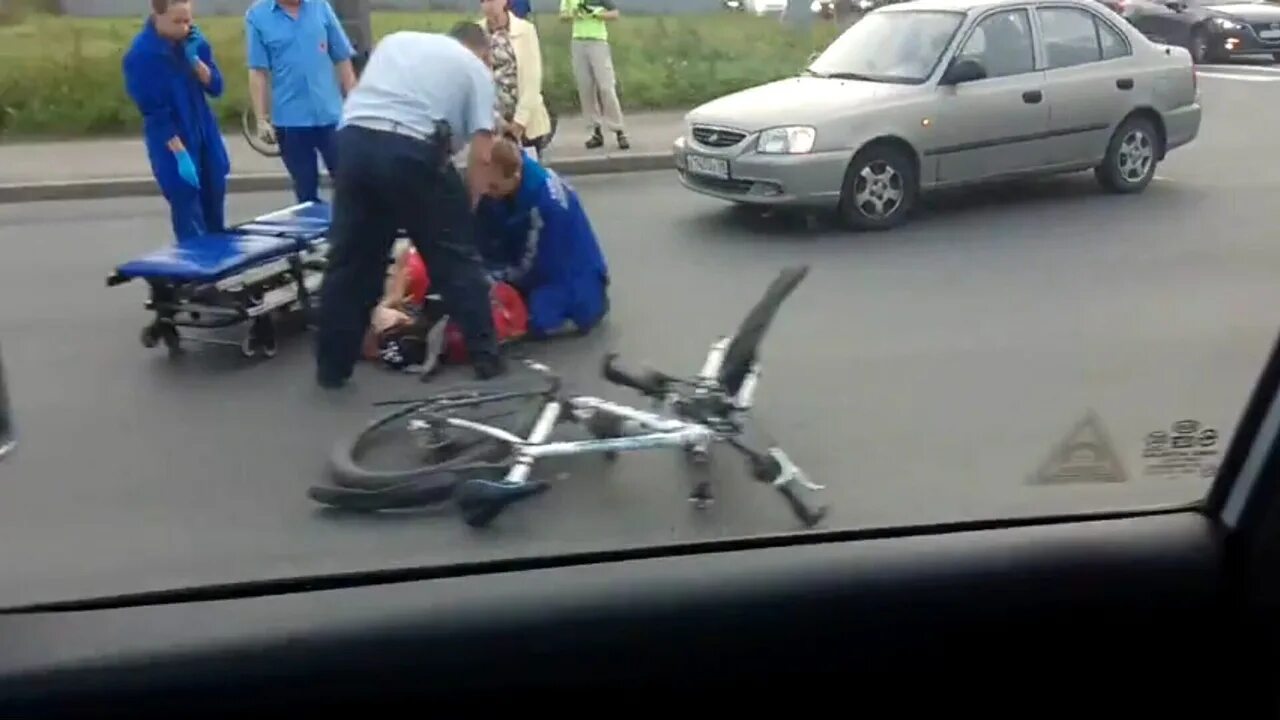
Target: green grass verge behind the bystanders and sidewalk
x=61, y=76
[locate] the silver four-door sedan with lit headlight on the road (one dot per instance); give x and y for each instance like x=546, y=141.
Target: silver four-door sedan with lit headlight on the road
x=935, y=94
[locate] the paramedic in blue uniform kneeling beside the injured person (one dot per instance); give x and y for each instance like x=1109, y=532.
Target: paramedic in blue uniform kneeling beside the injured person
x=536, y=235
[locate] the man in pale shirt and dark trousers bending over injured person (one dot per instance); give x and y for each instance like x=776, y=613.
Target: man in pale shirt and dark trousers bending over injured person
x=420, y=101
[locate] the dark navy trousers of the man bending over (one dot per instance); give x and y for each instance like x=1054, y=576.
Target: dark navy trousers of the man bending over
x=392, y=183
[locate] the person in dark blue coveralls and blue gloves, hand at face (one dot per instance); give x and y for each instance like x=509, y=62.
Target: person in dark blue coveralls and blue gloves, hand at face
x=170, y=72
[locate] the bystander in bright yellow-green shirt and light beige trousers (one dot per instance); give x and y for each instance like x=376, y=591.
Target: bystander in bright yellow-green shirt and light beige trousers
x=593, y=69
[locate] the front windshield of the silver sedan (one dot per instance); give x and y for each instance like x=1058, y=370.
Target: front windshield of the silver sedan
x=890, y=47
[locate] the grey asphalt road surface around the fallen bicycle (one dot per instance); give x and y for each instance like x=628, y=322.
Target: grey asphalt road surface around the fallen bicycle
x=922, y=375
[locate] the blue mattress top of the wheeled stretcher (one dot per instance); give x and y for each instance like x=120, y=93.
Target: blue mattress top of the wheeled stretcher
x=217, y=256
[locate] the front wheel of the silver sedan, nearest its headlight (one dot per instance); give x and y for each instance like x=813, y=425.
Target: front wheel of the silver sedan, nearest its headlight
x=880, y=189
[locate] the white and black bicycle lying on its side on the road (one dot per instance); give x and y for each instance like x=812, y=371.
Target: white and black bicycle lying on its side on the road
x=484, y=468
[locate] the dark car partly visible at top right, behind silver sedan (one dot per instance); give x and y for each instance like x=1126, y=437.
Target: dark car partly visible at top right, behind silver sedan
x=1213, y=33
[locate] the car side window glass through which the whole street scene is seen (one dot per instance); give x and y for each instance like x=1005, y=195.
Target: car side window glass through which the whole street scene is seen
x=255, y=327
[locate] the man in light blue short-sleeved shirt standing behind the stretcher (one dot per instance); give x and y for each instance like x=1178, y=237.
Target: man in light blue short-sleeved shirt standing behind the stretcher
x=299, y=72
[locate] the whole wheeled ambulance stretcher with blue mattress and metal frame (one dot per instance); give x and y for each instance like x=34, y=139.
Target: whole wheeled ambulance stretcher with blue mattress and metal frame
x=244, y=277
